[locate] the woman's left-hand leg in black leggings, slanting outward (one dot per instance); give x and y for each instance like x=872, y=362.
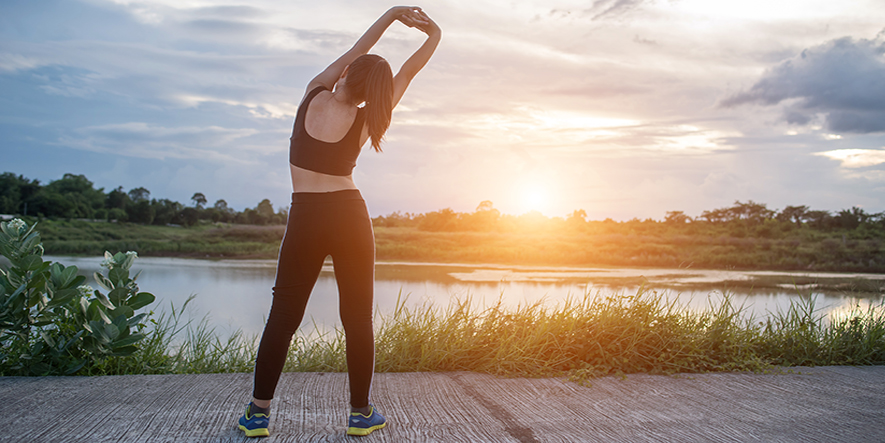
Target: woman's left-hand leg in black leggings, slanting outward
x=300, y=261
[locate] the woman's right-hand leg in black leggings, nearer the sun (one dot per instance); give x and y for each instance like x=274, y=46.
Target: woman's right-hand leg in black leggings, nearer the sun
x=353, y=255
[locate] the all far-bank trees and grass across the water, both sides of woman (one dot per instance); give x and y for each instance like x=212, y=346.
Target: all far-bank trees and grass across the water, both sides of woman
x=743, y=236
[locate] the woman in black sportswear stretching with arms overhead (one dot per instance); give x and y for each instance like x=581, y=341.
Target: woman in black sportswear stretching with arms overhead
x=329, y=217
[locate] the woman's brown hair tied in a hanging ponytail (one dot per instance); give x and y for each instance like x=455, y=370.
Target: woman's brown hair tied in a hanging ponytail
x=370, y=80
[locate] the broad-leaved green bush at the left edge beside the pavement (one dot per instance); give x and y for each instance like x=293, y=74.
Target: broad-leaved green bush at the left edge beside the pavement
x=52, y=324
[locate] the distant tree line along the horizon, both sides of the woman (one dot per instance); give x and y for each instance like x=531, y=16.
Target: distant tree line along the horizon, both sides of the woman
x=75, y=197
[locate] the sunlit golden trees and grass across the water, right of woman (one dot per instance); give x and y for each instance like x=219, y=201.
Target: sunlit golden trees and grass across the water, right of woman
x=744, y=236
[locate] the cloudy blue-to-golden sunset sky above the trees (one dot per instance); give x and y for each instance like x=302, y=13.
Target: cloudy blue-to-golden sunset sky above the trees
x=623, y=108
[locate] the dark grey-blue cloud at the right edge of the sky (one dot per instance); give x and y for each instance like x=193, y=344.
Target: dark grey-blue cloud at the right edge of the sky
x=841, y=82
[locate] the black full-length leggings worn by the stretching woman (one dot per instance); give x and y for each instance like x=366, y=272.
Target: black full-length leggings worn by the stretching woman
x=321, y=224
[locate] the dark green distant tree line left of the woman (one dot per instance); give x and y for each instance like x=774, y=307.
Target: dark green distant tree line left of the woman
x=75, y=197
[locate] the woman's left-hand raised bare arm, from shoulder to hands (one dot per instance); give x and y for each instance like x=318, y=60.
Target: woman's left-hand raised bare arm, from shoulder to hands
x=409, y=15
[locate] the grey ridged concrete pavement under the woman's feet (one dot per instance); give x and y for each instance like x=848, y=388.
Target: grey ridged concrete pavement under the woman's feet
x=821, y=404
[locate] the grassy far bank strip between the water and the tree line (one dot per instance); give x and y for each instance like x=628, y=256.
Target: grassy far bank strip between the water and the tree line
x=802, y=250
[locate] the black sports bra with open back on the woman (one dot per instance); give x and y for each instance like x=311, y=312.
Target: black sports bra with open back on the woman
x=337, y=158
